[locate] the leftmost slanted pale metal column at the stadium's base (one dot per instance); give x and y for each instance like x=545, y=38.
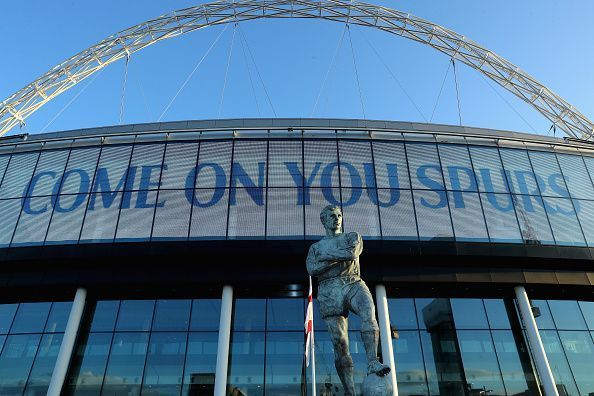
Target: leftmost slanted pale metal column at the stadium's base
x=67, y=346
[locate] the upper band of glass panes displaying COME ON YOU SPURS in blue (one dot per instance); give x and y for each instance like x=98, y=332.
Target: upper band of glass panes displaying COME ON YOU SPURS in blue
x=274, y=189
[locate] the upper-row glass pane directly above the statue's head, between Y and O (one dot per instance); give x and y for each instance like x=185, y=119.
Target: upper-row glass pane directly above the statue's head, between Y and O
x=321, y=168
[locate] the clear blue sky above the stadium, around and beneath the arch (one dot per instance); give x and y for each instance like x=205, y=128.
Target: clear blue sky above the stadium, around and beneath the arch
x=550, y=40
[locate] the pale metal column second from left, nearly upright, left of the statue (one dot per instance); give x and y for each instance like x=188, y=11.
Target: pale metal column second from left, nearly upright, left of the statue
x=224, y=338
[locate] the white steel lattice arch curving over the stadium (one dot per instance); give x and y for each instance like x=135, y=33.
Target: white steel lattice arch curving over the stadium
x=17, y=107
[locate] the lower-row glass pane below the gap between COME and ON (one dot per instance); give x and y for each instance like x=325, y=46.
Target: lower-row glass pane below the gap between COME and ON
x=172, y=218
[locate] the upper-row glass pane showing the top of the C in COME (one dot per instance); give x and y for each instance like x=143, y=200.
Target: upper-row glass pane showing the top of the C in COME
x=47, y=174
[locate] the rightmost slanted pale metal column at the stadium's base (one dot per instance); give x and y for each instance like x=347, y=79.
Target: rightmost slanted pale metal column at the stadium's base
x=540, y=357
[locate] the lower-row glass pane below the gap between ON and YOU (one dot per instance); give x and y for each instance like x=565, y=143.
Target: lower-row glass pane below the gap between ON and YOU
x=285, y=213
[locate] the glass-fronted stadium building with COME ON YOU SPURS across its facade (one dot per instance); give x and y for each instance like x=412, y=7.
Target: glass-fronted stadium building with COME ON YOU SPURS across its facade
x=154, y=220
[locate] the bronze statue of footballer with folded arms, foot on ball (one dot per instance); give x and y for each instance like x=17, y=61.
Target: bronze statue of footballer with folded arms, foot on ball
x=334, y=260
